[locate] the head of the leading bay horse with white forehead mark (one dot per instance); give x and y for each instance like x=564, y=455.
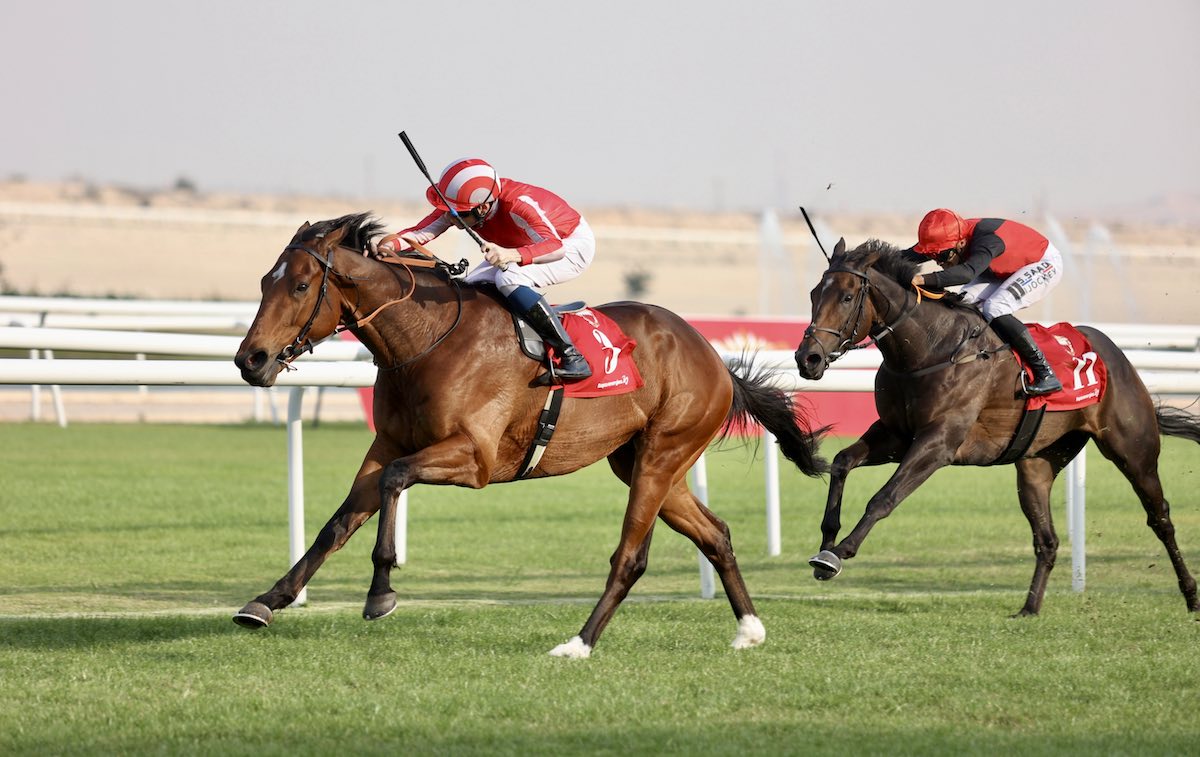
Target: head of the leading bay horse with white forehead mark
x=302, y=304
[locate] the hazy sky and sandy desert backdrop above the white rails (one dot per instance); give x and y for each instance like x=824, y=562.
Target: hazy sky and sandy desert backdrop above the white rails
x=170, y=151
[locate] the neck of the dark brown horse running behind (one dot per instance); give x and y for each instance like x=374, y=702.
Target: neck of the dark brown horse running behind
x=927, y=335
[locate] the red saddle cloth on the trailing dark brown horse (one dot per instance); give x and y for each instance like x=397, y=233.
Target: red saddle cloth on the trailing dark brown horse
x=1083, y=374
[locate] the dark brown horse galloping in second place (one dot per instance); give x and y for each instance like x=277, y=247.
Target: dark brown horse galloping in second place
x=950, y=394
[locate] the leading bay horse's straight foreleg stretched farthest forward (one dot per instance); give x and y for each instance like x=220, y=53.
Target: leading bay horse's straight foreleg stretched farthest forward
x=362, y=503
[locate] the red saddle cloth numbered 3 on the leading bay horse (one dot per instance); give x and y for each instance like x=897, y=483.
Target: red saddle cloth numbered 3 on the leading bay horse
x=608, y=351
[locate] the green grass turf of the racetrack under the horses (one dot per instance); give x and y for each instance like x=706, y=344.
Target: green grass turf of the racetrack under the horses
x=125, y=549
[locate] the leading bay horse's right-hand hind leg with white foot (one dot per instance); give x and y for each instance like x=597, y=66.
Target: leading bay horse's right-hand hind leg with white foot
x=687, y=515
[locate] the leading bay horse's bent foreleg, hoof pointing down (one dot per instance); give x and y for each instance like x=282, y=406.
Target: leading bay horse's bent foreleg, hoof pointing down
x=454, y=461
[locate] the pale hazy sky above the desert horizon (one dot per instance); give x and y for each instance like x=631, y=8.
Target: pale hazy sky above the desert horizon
x=991, y=107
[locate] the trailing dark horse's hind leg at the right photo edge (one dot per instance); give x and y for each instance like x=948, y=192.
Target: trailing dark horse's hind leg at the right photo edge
x=1138, y=461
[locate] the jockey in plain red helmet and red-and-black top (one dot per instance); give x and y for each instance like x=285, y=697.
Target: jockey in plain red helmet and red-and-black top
x=1005, y=267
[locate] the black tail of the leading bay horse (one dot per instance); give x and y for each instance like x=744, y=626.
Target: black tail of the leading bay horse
x=755, y=399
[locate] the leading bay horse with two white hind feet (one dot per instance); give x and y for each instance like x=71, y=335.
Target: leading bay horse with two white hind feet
x=457, y=404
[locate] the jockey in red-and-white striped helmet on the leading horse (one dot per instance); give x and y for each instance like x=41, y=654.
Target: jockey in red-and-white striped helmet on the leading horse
x=535, y=239
